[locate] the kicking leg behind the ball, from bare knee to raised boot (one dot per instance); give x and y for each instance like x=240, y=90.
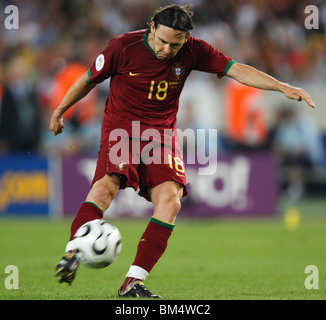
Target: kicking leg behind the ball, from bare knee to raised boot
x=98, y=200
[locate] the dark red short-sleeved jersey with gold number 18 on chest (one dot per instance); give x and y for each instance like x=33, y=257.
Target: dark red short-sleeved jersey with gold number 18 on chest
x=144, y=88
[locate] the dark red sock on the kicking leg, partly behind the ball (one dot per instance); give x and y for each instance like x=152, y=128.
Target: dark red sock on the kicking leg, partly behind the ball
x=88, y=211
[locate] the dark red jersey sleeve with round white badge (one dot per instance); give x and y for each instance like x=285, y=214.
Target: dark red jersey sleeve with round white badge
x=106, y=63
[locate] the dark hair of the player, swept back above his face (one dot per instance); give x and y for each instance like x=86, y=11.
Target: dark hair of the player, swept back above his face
x=175, y=17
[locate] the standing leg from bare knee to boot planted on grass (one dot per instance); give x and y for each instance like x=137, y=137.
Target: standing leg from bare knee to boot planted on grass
x=166, y=201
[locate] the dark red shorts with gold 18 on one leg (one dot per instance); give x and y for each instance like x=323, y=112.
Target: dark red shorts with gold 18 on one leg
x=141, y=164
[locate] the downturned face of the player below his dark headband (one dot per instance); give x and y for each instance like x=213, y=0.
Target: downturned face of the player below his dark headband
x=166, y=42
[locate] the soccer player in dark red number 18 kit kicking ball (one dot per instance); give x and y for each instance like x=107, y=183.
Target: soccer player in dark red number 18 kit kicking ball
x=148, y=69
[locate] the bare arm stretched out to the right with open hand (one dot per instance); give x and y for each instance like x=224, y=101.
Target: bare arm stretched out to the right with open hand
x=252, y=77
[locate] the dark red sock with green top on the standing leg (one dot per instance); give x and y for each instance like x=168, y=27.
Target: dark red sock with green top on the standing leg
x=151, y=246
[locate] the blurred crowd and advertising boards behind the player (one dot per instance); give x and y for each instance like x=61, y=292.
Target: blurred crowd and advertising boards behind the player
x=271, y=151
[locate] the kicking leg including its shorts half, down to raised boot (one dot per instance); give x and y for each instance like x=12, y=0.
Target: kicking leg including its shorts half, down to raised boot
x=108, y=179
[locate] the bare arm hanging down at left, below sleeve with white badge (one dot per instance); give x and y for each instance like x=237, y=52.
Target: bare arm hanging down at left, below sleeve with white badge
x=77, y=91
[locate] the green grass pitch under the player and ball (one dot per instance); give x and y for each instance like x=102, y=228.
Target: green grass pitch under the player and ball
x=248, y=259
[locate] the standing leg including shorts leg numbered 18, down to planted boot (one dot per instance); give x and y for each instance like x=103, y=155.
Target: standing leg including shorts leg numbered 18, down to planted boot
x=163, y=182
